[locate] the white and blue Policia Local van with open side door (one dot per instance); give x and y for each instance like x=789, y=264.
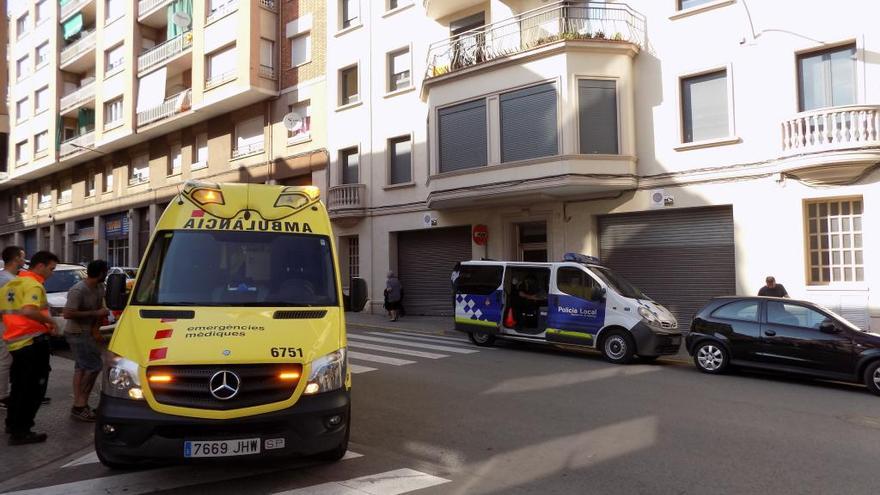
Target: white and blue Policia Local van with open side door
x=574, y=302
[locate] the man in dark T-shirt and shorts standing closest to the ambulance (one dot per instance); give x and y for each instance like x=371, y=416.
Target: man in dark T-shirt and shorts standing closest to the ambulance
x=84, y=312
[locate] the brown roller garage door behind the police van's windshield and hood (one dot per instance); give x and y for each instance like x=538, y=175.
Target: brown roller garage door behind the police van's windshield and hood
x=680, y=258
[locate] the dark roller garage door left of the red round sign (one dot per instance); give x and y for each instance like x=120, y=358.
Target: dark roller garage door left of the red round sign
x=425, y=259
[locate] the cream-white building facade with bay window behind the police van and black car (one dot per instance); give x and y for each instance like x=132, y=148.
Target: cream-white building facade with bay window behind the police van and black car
x=696, y=146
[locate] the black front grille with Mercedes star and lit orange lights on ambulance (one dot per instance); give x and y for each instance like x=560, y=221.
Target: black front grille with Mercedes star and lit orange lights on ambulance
x=191, y=386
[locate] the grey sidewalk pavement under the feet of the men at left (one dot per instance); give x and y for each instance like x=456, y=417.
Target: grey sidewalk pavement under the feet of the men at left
x=66, y=435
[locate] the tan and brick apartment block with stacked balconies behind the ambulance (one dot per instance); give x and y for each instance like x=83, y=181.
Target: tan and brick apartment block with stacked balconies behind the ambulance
x=116, y=103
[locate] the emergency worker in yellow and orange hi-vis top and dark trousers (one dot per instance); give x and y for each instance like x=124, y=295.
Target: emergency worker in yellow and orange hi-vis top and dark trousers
x=28, y=326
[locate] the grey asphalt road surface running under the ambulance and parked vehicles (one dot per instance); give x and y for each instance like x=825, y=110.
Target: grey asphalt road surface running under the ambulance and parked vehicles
x=457, y=419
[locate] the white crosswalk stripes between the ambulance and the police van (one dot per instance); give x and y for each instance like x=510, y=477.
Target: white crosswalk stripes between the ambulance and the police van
x=384, y=348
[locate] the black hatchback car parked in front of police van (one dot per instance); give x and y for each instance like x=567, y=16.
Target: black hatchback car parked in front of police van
x=783, y=335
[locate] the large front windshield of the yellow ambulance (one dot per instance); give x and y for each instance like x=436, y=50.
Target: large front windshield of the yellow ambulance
x=228, y=268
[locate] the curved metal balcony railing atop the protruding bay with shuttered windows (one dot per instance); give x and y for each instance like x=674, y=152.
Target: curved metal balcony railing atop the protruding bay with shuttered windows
x=560, y=21
